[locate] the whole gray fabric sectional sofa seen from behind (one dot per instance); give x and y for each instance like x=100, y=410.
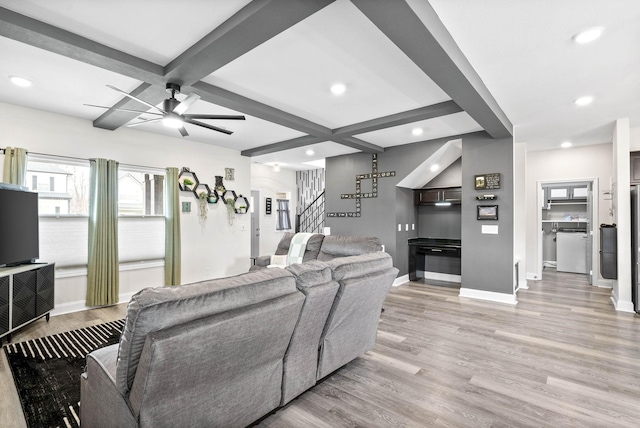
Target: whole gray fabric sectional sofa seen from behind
x=226, y=352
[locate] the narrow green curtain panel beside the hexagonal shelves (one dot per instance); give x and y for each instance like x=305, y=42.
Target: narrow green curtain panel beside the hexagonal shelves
x=173, y=254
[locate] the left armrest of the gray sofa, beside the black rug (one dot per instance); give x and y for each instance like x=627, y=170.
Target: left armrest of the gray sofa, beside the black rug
x=101, y=404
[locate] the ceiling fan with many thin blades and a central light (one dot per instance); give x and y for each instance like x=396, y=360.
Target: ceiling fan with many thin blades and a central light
x=173, y=112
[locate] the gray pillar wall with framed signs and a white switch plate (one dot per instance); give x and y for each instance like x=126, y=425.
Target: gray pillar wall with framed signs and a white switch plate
x=487, y=260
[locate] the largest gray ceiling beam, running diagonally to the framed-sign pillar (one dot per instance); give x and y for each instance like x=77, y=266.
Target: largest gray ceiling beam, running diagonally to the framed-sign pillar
x=430, y=46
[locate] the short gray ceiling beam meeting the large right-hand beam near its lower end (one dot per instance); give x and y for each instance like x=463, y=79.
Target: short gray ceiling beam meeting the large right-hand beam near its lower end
x=411, y=116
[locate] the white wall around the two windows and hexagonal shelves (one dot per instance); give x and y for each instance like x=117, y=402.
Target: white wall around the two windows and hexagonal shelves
x=209, y=250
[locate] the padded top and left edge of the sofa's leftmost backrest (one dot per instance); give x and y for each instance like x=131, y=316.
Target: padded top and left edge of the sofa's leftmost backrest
x=154, y=309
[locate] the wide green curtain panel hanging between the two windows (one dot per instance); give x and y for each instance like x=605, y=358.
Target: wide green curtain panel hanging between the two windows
x=103, y=283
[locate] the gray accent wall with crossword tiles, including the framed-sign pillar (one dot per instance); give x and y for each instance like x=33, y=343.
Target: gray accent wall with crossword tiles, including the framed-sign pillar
x=487, y=260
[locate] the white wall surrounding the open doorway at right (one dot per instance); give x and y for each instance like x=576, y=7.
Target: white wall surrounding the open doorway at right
x=575, y=163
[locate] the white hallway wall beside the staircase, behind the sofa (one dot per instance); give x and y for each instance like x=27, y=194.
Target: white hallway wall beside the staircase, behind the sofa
x=269, y=182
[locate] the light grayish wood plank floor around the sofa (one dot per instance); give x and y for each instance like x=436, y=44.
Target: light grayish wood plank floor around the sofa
x=561, y=357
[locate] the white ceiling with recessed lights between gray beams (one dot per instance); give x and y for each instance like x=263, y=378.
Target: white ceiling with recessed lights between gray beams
x=521, y=50
